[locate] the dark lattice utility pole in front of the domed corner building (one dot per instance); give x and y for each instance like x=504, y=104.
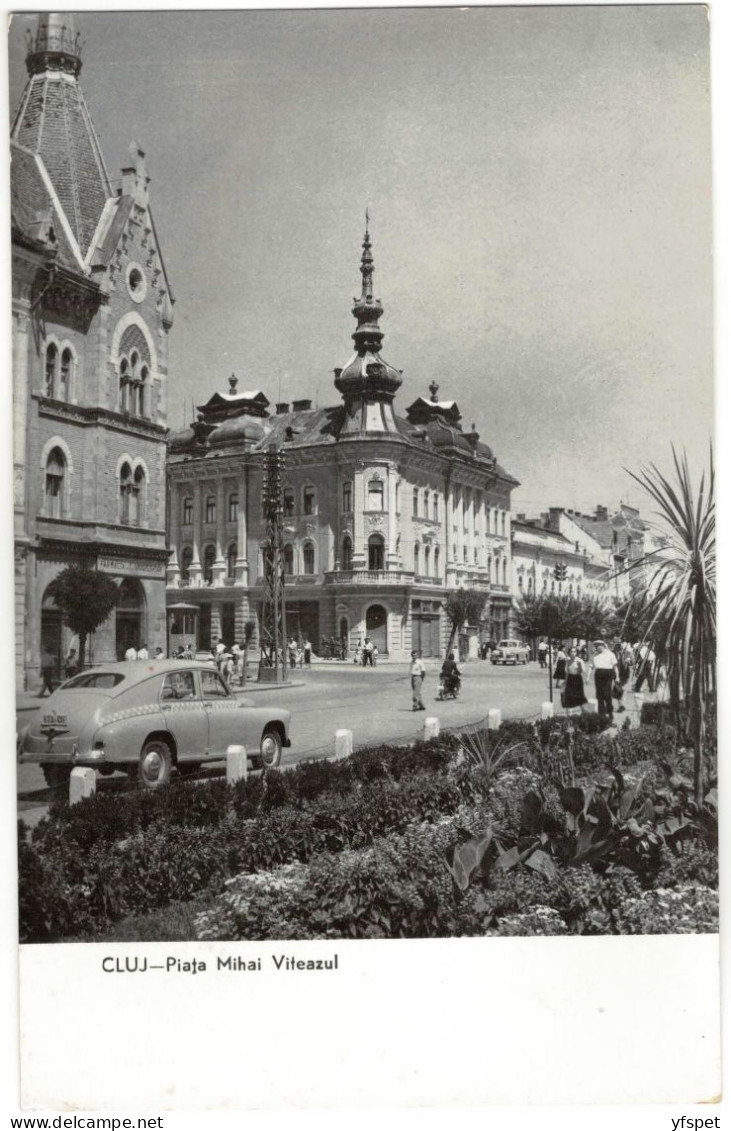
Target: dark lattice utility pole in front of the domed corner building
x=273, y=663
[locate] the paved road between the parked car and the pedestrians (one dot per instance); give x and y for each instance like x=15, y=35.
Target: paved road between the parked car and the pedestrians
x=375, y=704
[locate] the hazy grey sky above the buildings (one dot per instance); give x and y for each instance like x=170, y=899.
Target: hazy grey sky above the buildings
x=539, y=185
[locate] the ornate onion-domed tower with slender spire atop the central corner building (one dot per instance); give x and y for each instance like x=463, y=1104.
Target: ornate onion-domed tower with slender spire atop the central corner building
x=368, y=384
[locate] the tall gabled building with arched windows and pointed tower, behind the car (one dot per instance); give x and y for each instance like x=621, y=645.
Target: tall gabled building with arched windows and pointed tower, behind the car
x=92, y=310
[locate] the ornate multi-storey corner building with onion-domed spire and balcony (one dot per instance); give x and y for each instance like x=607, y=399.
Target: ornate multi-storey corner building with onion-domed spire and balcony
x=383, y=514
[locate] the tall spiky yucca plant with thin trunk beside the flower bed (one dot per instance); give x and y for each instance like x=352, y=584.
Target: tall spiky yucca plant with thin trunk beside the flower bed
x=681, y=603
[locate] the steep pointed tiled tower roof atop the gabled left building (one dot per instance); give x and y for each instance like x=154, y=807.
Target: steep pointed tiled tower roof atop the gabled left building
x=55, y=126
